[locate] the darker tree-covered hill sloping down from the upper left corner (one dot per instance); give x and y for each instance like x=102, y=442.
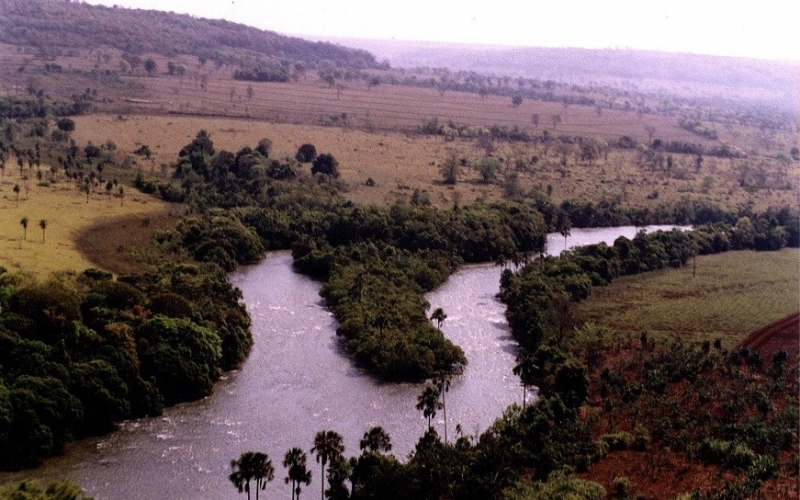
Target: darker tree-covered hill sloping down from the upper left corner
x=51, y=25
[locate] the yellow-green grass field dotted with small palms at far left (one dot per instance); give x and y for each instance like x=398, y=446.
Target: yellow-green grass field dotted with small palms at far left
x=68, y=215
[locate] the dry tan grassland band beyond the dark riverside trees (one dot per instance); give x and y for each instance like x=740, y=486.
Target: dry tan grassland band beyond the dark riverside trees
x=400, y=162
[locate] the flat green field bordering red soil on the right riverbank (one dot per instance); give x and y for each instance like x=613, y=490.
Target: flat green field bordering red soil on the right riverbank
x=733, y=294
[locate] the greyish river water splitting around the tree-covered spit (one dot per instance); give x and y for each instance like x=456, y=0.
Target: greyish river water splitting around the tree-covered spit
x=298, y=381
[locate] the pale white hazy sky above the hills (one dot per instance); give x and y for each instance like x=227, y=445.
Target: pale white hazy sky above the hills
x=765, y=29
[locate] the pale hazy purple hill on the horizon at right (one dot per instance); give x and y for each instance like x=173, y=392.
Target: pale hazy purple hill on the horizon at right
x=772, y=83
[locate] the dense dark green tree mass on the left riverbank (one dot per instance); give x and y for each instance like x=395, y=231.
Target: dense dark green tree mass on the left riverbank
x=79, y=354
